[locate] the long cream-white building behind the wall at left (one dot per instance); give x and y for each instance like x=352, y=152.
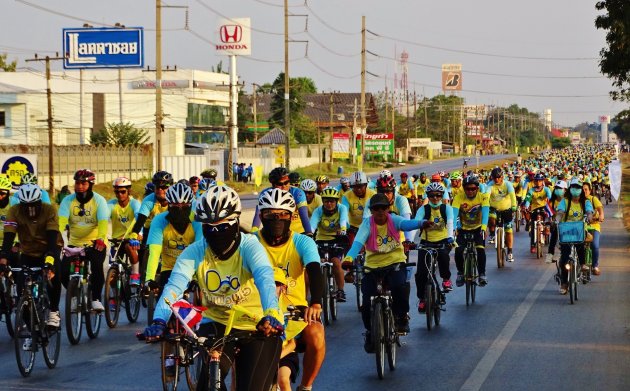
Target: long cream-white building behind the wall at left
x=83, y=102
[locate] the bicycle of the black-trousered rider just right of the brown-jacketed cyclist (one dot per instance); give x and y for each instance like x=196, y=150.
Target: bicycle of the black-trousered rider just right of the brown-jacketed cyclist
x=78, y=297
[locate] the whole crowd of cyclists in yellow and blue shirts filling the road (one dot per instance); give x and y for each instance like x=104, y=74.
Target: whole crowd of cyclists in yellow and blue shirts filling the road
x=190, y=230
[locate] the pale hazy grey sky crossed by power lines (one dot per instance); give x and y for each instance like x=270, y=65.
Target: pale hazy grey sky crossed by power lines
x=539, y=54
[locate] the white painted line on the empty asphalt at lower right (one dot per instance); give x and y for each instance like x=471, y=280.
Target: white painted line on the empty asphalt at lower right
x=488, y=361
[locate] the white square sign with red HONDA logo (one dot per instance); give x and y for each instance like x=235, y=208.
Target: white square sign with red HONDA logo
x=235, y=37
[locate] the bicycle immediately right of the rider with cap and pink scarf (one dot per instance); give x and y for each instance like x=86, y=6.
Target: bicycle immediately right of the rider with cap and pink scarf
x=434, y=297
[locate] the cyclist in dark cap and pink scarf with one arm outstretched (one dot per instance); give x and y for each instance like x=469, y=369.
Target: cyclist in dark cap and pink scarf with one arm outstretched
x=380, y=236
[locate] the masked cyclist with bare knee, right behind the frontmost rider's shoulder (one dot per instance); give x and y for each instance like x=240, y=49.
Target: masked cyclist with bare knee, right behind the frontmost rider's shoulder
x=297, y=256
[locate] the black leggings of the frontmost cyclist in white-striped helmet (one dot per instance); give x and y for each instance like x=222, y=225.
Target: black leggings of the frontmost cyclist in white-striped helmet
x=256, y=360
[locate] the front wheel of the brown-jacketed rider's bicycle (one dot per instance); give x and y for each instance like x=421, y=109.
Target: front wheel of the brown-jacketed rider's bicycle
x=24, y=351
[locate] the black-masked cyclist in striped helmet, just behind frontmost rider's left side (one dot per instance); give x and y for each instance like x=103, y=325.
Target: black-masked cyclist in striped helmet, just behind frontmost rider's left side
x=170, y=233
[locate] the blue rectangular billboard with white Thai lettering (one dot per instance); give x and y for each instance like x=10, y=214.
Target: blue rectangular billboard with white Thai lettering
x=103, y=48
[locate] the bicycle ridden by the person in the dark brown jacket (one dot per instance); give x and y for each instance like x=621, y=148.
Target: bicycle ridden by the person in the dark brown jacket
x=31, y=330
